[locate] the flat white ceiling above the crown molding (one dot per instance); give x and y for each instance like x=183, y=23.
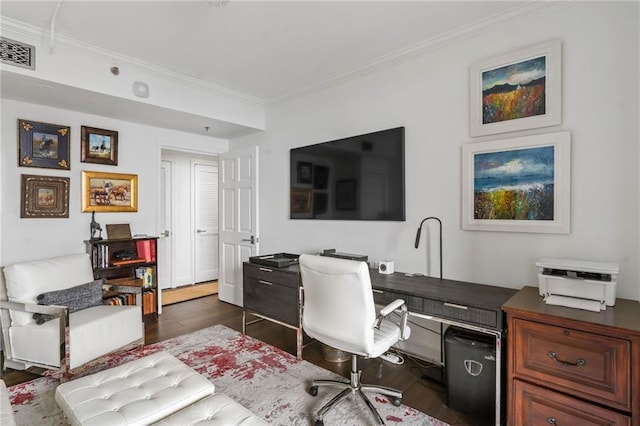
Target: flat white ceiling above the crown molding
x=267, y=50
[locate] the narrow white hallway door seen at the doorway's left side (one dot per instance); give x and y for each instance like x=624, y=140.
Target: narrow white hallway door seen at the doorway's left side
x=165, y=252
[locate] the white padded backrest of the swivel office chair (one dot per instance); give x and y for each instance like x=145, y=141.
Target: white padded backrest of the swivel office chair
x=338, y=303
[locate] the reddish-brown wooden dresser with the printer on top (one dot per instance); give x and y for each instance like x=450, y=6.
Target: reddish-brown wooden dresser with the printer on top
x=572, y=367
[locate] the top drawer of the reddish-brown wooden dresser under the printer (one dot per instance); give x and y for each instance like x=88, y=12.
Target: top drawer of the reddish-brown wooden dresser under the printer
x=586, y=365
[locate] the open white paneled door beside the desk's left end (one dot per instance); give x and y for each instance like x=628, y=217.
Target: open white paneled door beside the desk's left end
x=238, y=177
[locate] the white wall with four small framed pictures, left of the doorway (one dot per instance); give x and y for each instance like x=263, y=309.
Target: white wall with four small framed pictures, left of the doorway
x=138, y=153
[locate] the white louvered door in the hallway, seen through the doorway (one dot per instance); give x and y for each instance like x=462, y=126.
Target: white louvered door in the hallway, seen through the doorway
x=206, y=234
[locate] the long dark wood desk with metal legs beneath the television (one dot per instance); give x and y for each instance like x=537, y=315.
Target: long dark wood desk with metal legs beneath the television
x=275, y=294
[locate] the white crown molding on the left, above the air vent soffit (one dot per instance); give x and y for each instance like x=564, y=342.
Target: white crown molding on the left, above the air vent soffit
x=30, y=34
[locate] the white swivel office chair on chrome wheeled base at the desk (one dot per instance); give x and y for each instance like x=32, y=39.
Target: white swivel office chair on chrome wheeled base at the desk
x=339, y=311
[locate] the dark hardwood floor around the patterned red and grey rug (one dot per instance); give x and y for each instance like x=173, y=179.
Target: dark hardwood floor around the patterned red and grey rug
x=422, y=394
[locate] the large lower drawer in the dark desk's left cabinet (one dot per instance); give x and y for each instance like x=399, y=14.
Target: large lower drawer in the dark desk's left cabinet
x=272, y=300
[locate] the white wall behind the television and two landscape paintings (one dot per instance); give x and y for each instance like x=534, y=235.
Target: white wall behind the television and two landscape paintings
x=429, y=96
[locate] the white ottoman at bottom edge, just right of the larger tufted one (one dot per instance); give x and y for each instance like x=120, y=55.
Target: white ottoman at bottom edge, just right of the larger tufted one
x=217, y=409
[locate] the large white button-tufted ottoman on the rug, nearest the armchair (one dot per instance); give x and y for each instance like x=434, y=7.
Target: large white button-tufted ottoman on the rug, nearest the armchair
x=139, y=392
